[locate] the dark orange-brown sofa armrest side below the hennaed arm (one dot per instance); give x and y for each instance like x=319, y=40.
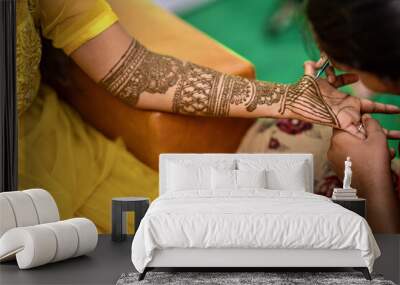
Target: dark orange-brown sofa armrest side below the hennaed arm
x=147, y=134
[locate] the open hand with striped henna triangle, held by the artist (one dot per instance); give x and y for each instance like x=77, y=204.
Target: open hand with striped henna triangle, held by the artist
x=320, y=101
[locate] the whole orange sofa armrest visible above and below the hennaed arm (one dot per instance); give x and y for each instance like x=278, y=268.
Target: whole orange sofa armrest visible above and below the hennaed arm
x=146, y=133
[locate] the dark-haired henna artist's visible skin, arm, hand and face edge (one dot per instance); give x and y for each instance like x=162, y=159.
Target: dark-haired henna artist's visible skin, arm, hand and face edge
x=371, y=158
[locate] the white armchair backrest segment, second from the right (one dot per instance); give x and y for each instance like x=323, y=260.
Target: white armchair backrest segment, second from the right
x=23, y=208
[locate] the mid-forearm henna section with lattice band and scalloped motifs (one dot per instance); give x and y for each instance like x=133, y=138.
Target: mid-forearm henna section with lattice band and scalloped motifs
x=203, y=91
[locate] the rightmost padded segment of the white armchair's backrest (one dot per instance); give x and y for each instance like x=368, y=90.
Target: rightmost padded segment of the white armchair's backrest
x=45, y=205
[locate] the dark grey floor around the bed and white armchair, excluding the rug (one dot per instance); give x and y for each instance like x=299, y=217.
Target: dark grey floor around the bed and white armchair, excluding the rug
x=110, y=259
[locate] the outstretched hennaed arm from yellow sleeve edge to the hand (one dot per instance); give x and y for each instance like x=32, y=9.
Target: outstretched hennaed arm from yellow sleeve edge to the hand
x=148, y=80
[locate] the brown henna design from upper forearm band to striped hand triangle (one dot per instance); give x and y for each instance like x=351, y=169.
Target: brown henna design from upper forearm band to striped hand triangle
x=203, y=91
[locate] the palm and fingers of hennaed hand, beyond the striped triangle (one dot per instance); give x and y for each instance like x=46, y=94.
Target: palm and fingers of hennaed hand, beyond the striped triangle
x=346, y=109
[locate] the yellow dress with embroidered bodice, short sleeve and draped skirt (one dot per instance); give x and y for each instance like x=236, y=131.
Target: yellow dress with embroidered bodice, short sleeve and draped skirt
x=59, y=152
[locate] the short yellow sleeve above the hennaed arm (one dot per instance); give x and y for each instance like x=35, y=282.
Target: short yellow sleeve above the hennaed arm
x=71, y=23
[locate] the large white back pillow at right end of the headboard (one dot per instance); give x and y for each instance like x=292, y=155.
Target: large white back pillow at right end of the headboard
x=289, y=175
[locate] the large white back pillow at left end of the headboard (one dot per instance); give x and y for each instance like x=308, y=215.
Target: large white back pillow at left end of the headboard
x=181, y=177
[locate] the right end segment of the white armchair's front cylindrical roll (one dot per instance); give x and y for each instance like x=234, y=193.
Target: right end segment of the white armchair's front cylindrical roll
x=87, y=234
